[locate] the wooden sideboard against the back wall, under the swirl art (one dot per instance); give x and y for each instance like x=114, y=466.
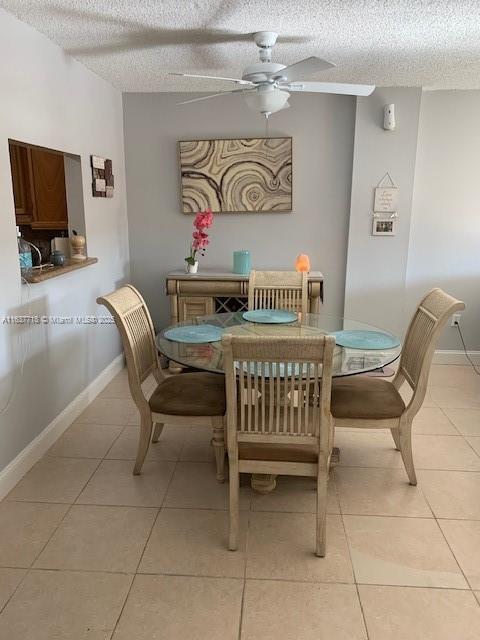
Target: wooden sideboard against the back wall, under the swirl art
x=209, y=292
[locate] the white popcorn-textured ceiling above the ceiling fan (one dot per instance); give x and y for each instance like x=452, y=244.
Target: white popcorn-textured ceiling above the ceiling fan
x=134, y=43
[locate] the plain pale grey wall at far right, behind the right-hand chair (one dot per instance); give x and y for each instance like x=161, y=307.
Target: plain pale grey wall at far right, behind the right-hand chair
x=445, y=234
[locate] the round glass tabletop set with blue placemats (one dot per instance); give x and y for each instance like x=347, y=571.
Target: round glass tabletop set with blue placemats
x=209, y=356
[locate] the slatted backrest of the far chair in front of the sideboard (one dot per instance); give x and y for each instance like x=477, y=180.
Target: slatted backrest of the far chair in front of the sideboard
x=278, y=290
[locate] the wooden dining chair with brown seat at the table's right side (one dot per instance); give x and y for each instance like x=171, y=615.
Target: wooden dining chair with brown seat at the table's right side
x=366, y=402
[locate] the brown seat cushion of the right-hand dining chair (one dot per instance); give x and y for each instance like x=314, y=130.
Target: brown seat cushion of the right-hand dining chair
x=366, y=398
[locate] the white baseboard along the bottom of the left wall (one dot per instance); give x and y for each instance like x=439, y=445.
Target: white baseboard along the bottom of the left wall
x=18, y=467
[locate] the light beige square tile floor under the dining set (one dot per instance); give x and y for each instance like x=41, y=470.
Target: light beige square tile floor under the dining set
x=89, y=551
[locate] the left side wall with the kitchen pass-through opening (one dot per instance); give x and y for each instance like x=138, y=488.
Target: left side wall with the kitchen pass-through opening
x=49, y=99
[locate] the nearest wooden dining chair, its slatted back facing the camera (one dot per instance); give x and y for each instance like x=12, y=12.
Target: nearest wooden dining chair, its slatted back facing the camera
x=278, y=414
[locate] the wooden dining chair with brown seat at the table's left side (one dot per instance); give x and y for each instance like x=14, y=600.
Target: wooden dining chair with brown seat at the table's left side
x=190, y=399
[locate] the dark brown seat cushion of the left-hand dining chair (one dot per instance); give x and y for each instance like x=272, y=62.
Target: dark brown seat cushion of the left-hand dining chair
x=190, y=394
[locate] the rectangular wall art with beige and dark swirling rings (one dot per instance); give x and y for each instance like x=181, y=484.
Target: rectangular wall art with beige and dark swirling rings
x=251, y=174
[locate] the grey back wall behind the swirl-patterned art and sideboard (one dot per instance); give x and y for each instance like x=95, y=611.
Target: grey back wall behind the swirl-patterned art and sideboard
x=322, y=128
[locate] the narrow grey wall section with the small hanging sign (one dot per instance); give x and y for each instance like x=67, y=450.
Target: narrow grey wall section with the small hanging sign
x=375, y=289
